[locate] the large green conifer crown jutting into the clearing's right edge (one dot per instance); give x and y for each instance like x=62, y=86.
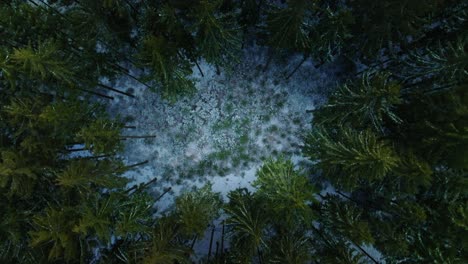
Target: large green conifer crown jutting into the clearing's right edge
x=350, y=157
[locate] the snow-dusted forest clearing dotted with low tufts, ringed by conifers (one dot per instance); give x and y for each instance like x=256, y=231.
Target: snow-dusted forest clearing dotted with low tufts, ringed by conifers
x=223, y=132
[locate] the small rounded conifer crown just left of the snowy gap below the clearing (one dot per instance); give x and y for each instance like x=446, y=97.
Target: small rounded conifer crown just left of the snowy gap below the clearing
x=197, y=209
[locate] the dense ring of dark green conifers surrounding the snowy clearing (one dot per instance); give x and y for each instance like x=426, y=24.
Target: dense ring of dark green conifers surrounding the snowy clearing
x=396, y=138
